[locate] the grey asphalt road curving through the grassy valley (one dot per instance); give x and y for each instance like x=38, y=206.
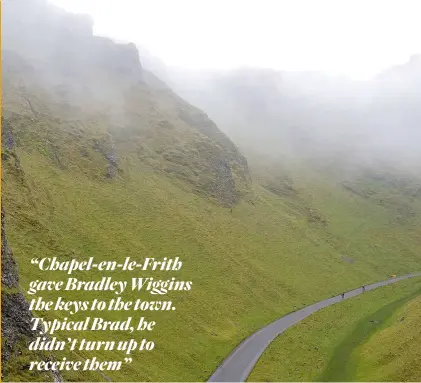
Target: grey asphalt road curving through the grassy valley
x=239, y=364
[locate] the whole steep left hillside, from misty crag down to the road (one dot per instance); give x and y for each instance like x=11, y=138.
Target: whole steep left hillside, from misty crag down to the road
x=101, y=159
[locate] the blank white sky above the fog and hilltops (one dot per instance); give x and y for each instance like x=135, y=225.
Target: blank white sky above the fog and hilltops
x=354, y=37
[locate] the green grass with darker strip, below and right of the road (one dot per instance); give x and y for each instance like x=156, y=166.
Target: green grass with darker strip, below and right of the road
x=371, y=337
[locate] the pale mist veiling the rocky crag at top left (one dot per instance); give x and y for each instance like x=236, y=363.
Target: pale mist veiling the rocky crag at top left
x=63, y=69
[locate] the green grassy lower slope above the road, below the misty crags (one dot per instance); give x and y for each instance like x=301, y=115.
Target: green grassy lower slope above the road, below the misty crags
x=248, y=267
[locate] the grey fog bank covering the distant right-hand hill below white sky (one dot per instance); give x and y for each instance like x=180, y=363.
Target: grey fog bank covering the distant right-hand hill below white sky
x=310, y=114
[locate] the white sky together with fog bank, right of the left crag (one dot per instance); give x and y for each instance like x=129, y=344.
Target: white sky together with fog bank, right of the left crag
x=338, y=83
